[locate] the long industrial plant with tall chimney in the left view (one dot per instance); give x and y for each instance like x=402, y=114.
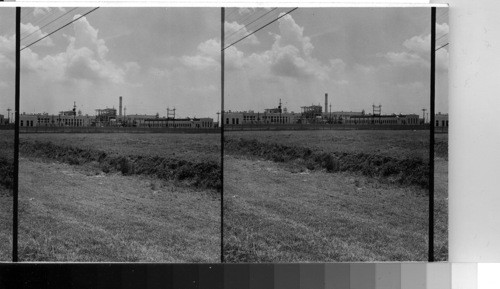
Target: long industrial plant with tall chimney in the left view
x=109, y=117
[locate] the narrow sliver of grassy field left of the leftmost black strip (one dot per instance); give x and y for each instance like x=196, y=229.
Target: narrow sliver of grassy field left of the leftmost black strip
x=6, y=174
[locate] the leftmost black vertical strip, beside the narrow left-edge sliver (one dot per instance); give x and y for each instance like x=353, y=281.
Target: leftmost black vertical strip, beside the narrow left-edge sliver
x=16, y=136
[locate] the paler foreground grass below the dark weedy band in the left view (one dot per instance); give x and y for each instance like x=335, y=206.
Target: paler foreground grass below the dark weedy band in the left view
x=68, y=215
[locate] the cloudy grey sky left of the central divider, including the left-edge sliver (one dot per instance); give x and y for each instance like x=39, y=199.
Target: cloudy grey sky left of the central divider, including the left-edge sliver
x=149, y=56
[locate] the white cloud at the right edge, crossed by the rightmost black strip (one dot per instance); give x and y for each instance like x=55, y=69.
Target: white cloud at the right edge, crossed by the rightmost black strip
x=418, y=49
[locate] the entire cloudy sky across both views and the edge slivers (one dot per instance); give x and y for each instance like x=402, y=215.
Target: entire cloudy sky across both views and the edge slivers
x=170, y=57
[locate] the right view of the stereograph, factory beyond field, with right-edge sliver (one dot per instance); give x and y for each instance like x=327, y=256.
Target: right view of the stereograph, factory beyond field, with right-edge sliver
x=327, y=134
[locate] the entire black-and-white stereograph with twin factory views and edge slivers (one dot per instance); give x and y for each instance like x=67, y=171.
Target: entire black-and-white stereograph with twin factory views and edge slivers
x=235, y=134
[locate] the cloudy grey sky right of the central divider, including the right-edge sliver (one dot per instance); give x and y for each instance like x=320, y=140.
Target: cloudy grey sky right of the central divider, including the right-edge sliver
x=359, y=56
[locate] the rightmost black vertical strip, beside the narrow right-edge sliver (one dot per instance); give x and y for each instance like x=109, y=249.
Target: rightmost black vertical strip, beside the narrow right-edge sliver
x=431, y=142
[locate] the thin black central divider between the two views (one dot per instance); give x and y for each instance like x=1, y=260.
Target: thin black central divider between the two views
x=222, y=135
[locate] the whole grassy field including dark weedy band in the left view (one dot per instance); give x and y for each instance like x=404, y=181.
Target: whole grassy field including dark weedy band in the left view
x=119, y=197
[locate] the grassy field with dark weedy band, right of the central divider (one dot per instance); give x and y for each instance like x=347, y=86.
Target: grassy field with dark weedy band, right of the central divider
x=301, y=196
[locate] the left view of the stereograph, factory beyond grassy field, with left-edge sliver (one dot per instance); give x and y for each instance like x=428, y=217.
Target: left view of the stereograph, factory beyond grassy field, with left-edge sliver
x=119, y=140
